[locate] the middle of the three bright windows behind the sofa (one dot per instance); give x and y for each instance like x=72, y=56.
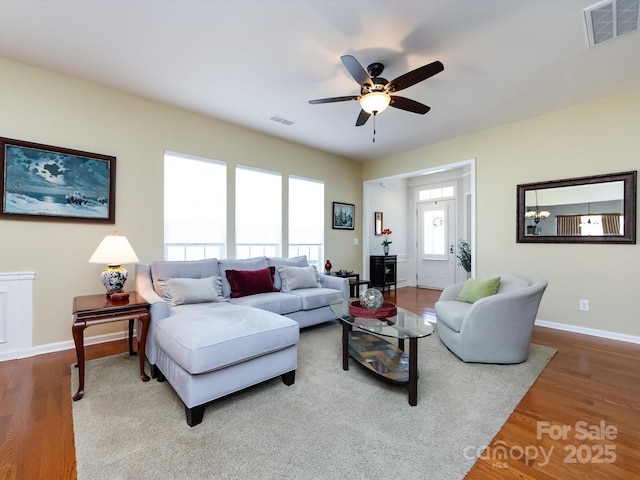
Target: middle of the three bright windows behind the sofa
x=258, y=213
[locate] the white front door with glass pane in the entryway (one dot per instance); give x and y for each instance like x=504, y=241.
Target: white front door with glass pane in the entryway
x=436, y=245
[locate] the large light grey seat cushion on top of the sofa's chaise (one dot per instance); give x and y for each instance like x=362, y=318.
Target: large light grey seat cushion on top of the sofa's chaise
x=217, y=335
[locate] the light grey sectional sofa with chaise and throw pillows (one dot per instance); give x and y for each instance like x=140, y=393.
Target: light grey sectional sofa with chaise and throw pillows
x=210, y=335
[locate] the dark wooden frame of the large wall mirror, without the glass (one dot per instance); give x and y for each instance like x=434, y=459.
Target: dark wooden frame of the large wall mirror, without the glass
x=629, y=180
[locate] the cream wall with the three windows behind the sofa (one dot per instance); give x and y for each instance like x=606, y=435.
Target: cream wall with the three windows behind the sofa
x=43, y=107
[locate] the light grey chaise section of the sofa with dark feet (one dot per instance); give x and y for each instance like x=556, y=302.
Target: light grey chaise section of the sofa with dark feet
x=207, y=353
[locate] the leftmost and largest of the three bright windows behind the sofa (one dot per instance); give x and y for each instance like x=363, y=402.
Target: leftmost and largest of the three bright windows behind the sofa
x=195, y=206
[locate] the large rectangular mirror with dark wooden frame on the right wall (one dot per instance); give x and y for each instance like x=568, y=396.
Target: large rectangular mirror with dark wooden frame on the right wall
x=596, y=209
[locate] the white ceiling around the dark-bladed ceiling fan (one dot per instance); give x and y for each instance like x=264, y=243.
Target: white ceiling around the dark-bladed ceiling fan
x=246, y=61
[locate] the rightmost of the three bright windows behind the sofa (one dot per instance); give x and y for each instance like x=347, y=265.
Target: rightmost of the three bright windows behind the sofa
x=306, y=219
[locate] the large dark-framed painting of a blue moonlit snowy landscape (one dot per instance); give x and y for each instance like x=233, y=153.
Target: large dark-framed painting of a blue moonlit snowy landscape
x=41, y=182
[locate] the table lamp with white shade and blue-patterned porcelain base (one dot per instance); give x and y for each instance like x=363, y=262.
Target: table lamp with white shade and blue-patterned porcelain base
x=114, y=250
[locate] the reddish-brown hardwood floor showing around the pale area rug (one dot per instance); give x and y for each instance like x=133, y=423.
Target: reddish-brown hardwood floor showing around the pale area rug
x=589, y=380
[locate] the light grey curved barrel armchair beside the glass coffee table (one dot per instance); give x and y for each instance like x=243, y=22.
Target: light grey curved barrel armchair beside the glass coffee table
x=494, y=329
